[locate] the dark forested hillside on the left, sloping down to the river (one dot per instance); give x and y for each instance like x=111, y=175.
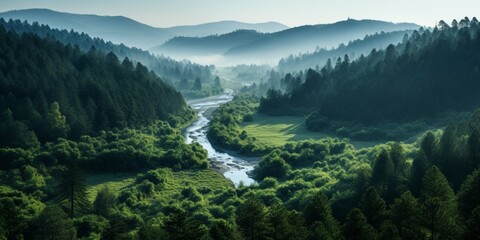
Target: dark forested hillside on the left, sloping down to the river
x=49, y=90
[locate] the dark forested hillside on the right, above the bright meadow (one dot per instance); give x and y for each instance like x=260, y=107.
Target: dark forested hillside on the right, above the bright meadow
x=432, y=72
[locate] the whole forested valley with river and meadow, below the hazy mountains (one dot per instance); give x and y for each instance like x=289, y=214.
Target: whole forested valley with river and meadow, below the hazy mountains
x=97, y=140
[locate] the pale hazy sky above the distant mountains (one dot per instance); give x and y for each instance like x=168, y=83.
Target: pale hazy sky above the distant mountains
x=165, y=13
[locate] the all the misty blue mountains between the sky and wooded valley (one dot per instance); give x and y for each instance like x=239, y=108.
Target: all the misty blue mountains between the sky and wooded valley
x=220, y=43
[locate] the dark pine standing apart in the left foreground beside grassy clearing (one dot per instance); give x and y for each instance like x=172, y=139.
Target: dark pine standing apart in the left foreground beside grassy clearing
x=73, y=189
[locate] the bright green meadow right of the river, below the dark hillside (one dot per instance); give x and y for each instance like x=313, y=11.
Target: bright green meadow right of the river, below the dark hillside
x=277, y=131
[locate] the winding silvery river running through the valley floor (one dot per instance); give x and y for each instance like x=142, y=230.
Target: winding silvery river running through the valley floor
x=234, y=168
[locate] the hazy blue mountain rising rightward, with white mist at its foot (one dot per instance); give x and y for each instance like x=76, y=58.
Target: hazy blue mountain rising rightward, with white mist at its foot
x=270, y=47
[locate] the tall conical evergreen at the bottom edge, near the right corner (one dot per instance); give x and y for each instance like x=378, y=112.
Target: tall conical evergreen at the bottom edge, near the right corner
x=439, y=211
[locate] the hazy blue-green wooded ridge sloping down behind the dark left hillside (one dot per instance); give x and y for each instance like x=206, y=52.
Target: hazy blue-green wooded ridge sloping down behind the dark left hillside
x=182, y=75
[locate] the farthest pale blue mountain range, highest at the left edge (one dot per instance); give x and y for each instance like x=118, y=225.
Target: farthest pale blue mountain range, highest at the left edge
x=119, y=29
